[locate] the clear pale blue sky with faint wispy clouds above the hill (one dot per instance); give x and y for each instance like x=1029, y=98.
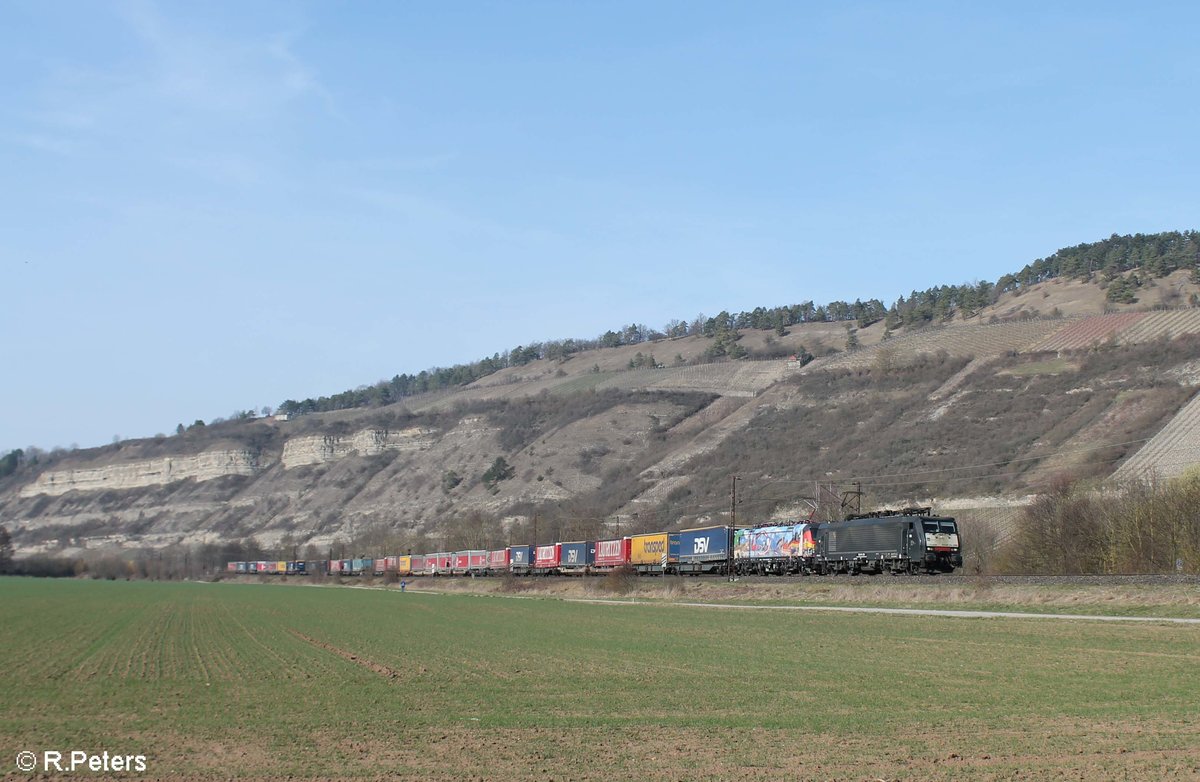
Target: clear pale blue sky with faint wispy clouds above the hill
x=218, y=207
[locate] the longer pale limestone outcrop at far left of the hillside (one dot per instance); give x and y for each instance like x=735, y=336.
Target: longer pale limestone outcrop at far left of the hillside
x=146, y=473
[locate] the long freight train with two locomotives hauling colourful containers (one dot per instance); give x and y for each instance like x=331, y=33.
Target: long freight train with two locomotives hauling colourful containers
x=910, y=542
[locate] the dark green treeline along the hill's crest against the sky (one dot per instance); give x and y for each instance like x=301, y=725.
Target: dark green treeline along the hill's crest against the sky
x=1155, y=255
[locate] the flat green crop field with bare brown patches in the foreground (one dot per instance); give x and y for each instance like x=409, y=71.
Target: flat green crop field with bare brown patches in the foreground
x=244, y=681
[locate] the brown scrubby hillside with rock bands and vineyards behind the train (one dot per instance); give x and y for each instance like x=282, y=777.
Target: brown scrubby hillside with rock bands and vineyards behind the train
x=645, y=438
